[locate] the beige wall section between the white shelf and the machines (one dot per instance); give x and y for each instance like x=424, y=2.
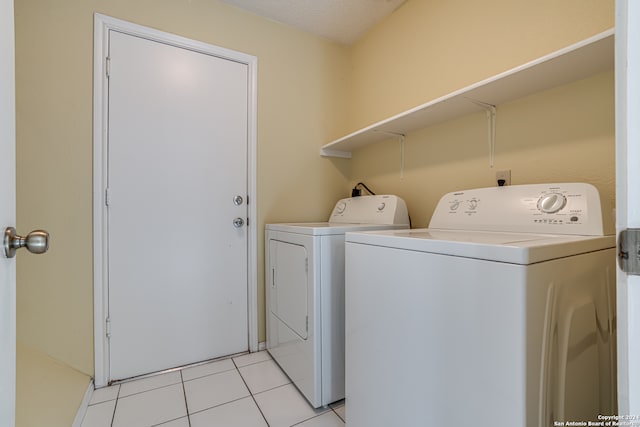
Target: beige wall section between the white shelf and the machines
x=561, y=135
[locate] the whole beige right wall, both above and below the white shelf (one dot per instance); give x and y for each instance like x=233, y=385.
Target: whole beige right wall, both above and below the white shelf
x=429, y=48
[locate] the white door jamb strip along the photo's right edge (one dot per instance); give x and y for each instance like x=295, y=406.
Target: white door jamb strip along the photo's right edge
x=628, y=197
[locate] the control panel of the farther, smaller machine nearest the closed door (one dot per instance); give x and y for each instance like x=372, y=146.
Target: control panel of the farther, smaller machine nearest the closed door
x=378, y=209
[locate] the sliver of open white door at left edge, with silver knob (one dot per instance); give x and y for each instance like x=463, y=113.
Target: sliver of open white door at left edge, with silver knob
x=7, y=216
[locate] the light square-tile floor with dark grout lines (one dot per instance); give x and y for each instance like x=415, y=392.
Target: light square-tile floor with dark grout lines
x=244, y=391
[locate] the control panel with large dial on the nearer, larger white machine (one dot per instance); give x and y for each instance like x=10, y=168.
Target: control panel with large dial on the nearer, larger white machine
x=565, y=208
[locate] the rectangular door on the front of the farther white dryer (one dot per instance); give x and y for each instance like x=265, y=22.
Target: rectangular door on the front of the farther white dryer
x=289, y=285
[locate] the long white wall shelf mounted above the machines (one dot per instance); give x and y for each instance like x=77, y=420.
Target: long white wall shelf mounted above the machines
x=573, y=63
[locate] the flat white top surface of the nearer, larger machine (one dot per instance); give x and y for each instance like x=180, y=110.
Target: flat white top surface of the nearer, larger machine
x=514, y=248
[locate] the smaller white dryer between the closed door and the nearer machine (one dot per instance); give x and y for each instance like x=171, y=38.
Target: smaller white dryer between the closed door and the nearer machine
x=305, y=292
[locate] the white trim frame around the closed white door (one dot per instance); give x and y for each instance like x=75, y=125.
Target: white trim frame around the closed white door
x=102, y=25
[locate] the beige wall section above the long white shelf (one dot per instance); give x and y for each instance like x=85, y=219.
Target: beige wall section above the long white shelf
x=429, y=48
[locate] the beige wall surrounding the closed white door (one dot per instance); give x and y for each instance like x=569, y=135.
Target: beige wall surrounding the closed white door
x=301, y=101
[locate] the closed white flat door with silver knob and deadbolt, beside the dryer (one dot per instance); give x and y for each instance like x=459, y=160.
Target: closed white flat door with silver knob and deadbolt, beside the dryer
x=177, y=159
